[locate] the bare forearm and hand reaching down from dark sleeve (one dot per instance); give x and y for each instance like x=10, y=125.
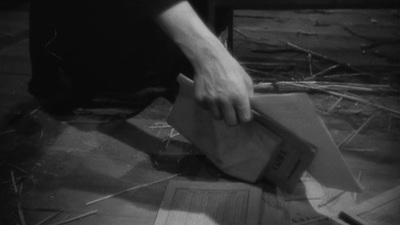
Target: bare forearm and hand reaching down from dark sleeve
x=221, y=84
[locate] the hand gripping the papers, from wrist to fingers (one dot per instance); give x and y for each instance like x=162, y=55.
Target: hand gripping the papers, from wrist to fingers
x=223, y=87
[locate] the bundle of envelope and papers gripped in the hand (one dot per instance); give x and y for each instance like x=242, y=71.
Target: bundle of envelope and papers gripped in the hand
x=285, y=138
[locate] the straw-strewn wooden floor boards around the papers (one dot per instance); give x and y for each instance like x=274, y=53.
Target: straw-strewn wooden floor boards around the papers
x=60, y=163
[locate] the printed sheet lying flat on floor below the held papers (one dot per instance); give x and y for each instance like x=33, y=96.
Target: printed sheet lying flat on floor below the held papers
x=197, y=203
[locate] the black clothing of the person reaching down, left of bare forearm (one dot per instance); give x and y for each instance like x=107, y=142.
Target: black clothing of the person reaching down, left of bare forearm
x=81, y=48
